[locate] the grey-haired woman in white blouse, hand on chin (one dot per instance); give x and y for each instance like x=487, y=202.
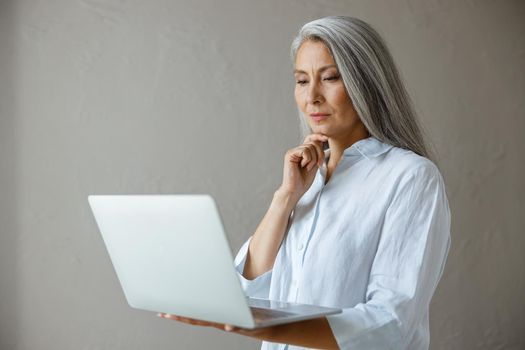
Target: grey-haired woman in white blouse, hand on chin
x=363, y=225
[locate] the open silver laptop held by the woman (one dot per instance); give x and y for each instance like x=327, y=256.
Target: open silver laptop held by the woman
x=171, y=255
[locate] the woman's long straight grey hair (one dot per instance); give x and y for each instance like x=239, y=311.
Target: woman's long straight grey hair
x=371, y=79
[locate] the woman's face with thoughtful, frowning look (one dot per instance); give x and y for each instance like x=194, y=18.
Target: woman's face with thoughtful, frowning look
x=319, y=89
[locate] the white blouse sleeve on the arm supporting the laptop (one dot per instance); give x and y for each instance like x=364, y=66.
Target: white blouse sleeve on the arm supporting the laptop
x=410, y=257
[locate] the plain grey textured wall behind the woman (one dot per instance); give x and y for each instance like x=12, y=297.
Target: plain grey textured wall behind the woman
x=167, y=97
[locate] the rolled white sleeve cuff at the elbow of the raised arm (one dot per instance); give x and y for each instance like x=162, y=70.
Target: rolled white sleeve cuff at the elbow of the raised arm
x=259, y=287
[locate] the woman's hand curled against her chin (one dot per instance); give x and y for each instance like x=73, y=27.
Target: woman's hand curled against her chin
x=300, y=165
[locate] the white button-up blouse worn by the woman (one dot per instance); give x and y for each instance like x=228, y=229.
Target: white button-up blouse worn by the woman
x=372, y=241
